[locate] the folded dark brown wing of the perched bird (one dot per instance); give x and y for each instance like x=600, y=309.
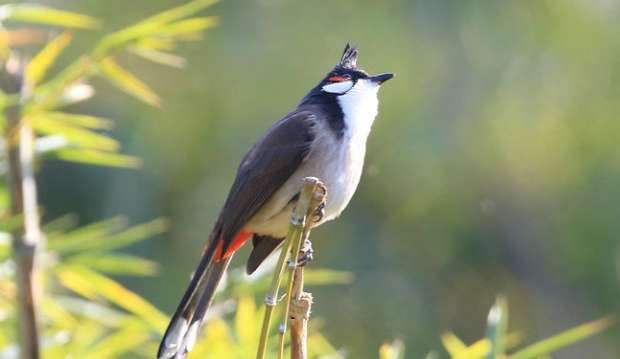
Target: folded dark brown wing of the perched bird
x=264, y=169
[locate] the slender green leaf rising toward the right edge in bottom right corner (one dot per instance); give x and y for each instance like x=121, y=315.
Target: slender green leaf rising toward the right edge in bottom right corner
x=564, y=339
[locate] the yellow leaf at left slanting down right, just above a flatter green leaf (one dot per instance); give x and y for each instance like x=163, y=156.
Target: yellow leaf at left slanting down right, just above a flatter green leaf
x=74, y=135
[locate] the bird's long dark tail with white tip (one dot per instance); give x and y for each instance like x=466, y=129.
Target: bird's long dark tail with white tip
x=182, y=331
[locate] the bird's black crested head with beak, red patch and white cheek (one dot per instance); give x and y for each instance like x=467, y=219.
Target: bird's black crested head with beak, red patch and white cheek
x=344, y=77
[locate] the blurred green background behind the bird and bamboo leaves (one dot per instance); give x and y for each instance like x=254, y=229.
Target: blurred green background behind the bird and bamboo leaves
x=493, y=166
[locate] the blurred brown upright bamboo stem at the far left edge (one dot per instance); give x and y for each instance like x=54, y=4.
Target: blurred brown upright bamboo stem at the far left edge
x=19, y=141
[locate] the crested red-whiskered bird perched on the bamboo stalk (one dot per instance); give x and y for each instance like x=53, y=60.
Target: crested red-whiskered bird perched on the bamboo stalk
x=324, y=137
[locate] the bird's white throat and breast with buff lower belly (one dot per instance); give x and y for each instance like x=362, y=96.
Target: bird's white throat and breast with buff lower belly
x=337, y=162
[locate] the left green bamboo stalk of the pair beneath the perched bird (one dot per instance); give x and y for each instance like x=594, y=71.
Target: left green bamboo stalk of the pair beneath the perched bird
x=295, y=234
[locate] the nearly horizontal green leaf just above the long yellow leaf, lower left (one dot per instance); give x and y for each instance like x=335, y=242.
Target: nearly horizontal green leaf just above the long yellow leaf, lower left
x=115, y=263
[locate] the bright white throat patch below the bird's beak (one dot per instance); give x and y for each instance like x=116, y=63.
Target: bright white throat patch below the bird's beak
x=359, y=106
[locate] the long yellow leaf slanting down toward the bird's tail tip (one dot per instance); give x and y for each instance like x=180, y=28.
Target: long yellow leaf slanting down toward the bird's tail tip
x=93, y=282
